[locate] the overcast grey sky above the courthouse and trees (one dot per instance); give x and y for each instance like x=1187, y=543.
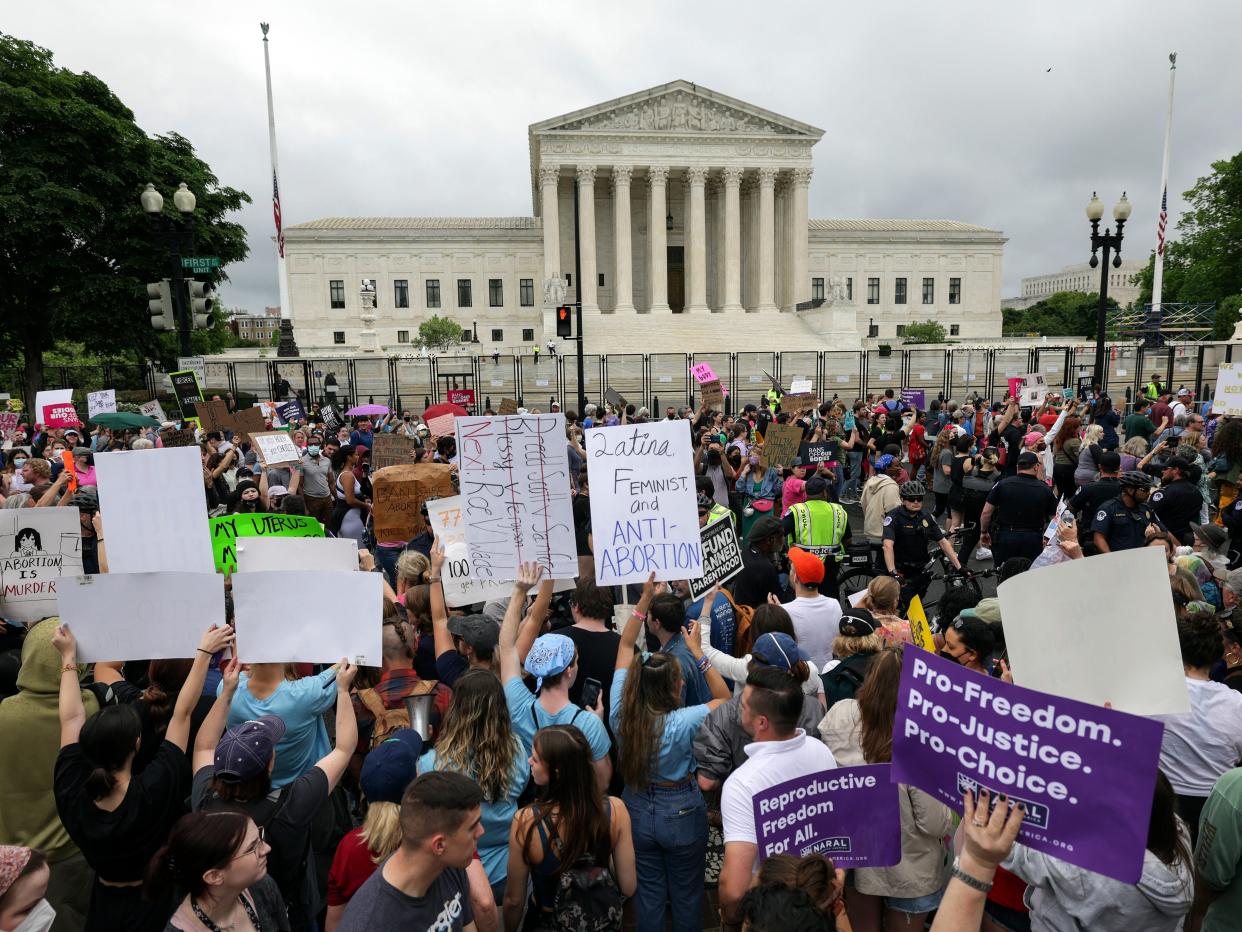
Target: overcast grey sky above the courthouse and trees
x=931, y=110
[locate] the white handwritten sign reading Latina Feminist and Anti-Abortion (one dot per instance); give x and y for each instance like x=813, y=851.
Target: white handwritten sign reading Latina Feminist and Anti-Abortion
x=644, y=505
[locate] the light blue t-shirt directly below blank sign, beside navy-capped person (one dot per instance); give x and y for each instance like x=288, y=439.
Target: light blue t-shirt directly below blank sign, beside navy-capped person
x=301, y=705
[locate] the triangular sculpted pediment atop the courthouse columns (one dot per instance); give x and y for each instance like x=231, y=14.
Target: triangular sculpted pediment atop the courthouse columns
x=680, y=107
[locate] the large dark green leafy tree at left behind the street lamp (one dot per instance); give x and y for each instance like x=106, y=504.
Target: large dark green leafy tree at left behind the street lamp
x=78, y=249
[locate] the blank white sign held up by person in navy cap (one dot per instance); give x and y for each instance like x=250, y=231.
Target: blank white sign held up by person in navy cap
x=261, y=605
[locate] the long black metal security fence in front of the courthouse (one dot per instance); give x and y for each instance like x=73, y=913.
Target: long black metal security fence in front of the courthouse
x=660, y=380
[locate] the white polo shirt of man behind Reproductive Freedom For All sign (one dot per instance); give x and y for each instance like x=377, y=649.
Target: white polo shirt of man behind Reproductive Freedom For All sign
x=768, y=764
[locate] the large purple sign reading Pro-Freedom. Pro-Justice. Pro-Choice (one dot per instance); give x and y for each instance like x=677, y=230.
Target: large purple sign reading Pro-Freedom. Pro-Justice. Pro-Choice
x=1086, y=775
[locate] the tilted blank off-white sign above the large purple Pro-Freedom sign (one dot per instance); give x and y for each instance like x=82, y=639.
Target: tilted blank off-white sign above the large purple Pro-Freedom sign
x=1136, y=628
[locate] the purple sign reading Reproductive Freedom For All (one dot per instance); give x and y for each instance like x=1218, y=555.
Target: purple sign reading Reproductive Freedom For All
x=850, y=815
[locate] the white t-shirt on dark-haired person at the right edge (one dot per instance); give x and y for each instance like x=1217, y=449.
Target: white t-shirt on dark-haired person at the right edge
x=1202, y=745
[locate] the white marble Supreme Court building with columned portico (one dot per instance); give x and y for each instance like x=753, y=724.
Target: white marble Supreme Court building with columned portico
x=695, y=234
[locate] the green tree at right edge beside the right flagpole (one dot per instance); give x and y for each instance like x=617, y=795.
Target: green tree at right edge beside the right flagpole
x=1205, y=263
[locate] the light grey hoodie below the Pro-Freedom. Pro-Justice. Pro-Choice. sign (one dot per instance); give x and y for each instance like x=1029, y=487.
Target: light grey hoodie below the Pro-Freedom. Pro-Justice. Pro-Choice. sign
x=1064, y=898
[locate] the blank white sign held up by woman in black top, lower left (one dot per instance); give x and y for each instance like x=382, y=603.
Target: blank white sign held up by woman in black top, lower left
x=156, y=616
